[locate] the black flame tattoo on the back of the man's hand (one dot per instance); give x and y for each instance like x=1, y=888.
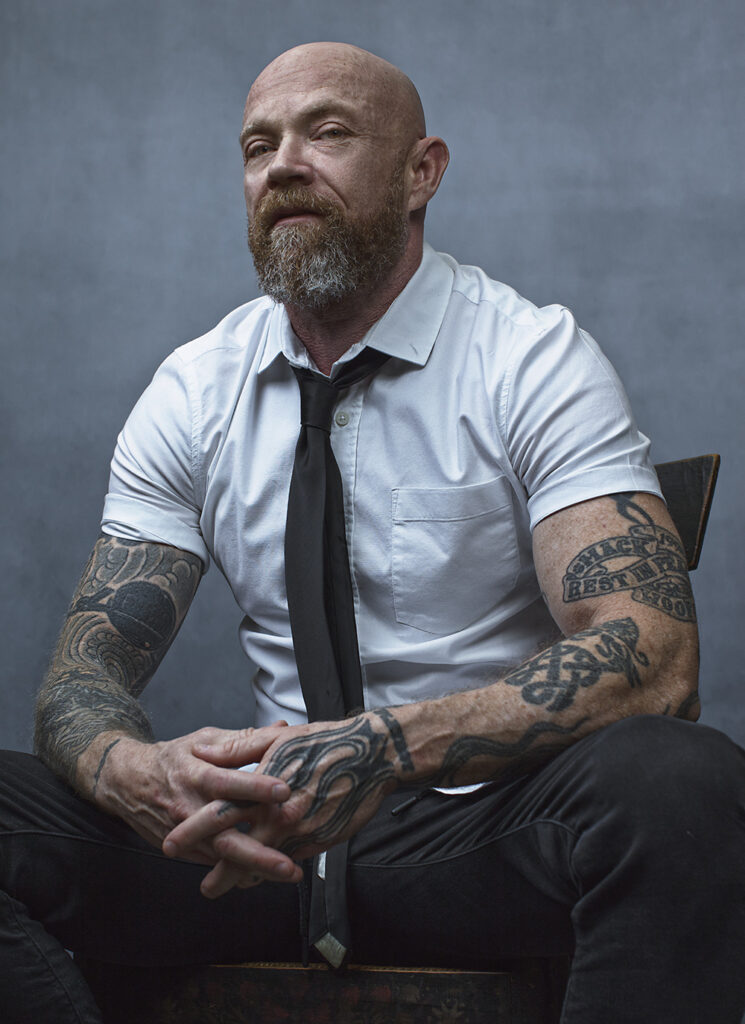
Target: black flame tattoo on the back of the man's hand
x=357, y=755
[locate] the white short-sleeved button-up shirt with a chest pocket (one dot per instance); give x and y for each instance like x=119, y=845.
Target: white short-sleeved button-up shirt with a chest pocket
x=492, y=415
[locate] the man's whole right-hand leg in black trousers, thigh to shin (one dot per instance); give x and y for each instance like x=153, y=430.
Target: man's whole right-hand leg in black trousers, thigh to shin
x=636, y=835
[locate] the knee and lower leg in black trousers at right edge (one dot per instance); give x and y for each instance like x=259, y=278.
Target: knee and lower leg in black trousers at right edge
x=661, y=859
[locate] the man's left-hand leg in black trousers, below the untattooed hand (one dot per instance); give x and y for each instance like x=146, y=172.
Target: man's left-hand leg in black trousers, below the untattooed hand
x=75, y=879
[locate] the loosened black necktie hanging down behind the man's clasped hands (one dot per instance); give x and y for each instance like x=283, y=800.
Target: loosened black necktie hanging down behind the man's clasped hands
x=322, y=608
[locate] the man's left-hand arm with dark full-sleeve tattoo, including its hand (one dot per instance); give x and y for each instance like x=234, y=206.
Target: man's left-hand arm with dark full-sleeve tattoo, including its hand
x=91, y=729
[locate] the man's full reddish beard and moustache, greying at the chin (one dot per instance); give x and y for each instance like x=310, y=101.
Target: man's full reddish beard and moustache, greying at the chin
x=314, y=266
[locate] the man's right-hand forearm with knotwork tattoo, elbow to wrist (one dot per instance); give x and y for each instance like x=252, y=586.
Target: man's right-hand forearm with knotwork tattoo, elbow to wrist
x=577, y=687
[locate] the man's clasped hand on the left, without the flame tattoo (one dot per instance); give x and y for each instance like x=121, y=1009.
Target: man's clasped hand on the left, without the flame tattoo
x=154, y=787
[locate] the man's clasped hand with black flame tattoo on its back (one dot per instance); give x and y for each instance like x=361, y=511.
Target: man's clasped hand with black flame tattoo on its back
x=338, y=774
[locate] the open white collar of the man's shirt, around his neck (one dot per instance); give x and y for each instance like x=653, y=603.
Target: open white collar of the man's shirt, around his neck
x=408, y=330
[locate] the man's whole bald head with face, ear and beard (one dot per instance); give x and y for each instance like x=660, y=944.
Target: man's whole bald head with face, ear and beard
x=337, y=160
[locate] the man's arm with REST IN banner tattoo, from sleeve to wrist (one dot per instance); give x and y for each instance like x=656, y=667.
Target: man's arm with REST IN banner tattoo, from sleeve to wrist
x=613, y=574
